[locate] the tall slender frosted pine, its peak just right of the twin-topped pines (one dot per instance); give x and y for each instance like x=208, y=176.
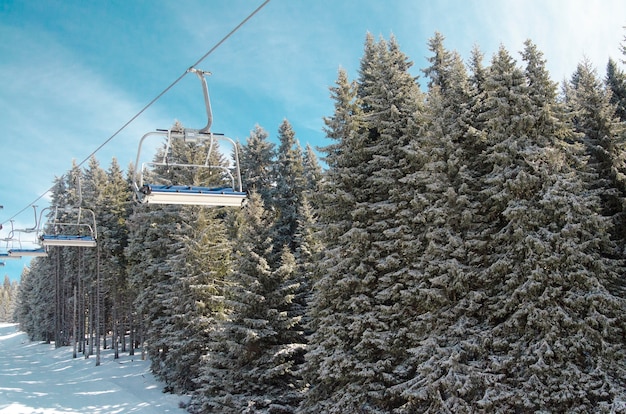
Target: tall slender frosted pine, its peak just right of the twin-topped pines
x=443, y=211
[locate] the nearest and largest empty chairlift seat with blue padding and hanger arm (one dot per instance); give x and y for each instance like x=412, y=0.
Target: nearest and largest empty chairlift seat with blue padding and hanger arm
x=229, y=195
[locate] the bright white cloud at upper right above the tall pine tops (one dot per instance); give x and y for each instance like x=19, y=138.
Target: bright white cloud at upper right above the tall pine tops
x=566, y=31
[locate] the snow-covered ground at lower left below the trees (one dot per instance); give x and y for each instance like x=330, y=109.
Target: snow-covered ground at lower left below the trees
x=36, y=378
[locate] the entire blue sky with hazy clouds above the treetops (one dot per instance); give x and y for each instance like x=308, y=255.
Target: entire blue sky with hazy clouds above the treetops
x=73, y=72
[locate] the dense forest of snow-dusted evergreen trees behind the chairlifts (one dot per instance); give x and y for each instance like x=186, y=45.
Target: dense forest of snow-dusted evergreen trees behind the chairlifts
x=463, y=252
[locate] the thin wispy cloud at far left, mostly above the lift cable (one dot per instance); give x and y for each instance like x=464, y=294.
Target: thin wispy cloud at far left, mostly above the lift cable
x=54, y=109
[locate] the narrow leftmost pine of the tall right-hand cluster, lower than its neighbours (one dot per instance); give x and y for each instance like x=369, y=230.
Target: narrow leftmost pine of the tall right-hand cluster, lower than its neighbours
x=337, y=200
